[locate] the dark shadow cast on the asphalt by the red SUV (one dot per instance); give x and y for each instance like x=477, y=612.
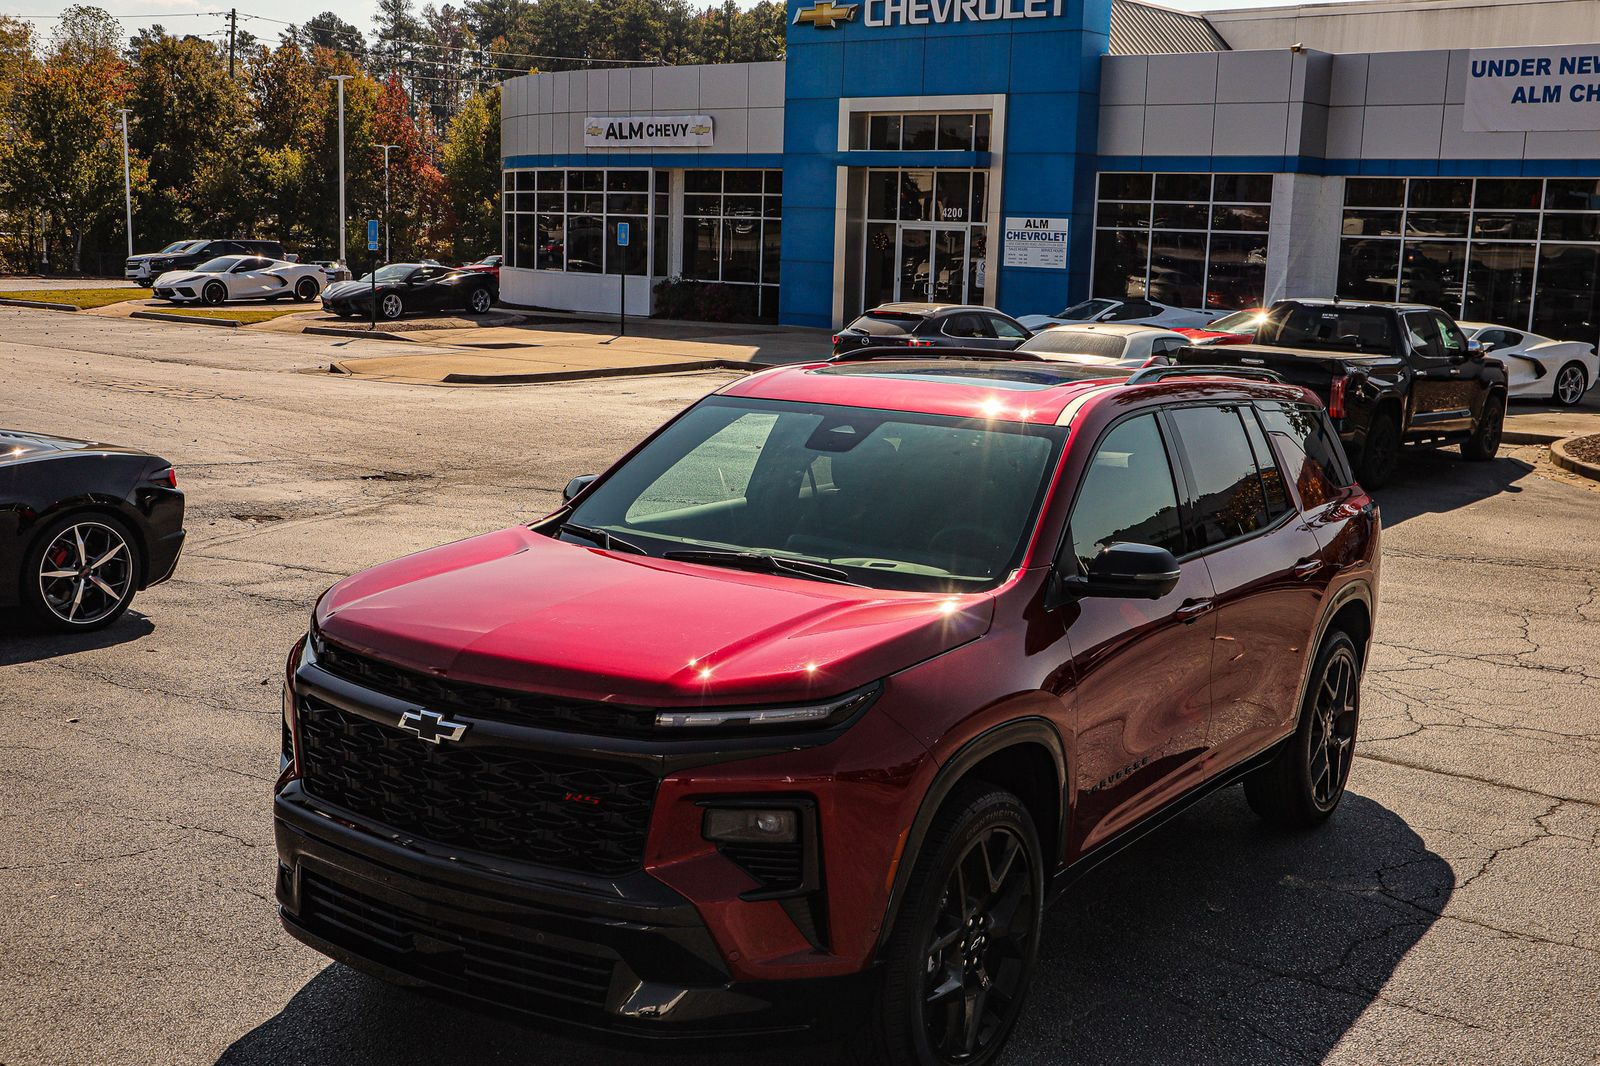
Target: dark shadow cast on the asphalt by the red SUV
x=1212, y=940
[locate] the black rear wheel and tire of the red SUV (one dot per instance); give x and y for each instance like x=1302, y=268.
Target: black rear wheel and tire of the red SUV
x=1305, y=782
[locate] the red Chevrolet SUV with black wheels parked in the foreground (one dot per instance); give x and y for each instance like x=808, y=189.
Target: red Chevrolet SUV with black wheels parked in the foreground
x=814, y=700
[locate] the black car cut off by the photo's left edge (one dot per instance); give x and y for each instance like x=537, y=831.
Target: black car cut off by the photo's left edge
x=84, y=527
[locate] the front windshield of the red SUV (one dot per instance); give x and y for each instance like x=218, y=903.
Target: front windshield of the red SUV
x=884, y=499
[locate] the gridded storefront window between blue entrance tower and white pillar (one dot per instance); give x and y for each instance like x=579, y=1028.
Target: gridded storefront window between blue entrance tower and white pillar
x=1194, y=241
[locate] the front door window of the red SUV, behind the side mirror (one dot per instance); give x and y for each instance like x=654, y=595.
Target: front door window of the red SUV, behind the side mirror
x=1127, y=494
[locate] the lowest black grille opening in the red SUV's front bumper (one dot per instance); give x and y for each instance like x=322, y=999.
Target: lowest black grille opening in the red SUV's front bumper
x=489, y=966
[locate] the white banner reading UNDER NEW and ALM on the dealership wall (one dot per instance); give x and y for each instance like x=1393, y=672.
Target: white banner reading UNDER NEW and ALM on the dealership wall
x=1534, y=89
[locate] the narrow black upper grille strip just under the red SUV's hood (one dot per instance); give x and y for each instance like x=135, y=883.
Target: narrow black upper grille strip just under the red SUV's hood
x=484, y=702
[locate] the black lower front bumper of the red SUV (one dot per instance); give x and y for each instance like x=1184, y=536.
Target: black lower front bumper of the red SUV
x=634, y=963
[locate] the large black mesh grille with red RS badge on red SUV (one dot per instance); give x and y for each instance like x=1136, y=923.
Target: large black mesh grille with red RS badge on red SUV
x=574, y=814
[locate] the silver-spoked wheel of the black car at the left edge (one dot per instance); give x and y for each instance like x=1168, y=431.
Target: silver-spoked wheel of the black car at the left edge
x=84, y=543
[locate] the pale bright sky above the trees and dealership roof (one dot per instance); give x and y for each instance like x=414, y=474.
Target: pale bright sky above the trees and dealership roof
x=265, y=20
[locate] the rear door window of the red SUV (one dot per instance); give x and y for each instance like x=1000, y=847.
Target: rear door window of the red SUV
x=1230, y=499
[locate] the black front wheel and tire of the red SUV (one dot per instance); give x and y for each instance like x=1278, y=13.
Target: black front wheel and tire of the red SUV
x=978, y=952
